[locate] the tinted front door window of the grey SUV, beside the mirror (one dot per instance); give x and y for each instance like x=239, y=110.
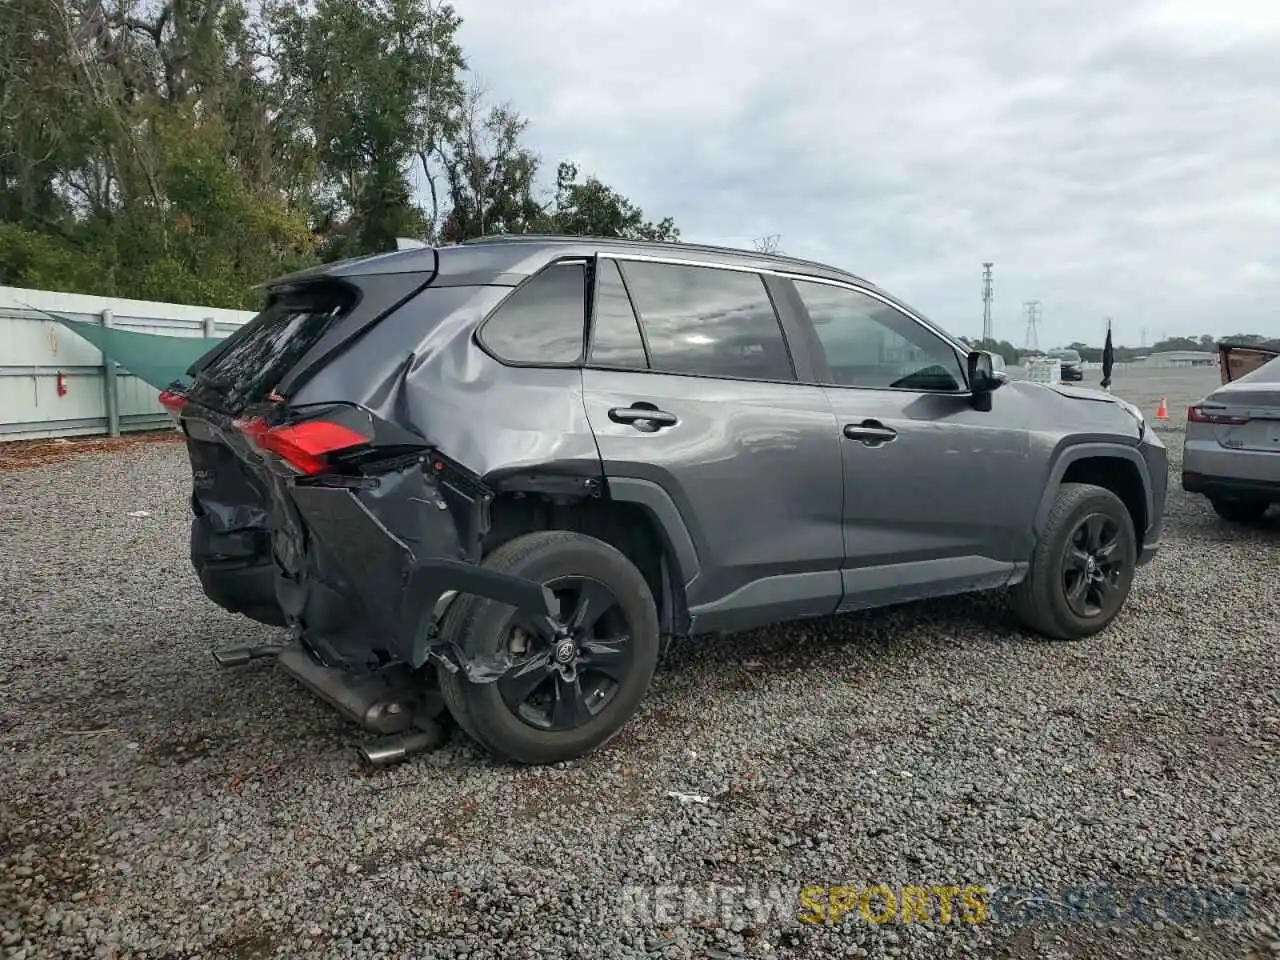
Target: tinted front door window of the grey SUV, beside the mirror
x=870, y=344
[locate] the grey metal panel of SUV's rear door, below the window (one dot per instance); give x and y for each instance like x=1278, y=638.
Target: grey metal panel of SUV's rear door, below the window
x=753, y=469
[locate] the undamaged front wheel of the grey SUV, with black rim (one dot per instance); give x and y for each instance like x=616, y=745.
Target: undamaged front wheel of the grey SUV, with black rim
x=1045, y=601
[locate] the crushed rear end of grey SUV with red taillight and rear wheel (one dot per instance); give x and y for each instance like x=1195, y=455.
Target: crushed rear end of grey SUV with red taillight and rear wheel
x=345, y=460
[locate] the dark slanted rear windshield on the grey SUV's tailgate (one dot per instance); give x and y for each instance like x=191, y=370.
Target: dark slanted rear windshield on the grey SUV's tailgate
x=259, y=355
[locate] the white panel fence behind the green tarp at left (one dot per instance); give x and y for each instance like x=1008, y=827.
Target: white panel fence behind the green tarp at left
x=98, y=400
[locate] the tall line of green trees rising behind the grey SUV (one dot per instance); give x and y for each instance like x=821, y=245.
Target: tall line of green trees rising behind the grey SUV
x=188, y=150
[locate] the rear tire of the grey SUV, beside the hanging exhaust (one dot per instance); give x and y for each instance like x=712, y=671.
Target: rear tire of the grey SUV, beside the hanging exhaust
x=495, y=715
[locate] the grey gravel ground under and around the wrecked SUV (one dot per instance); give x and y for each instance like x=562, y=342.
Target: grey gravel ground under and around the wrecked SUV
x=154, y=806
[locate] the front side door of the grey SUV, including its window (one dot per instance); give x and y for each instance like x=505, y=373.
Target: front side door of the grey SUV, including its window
x=939, y=497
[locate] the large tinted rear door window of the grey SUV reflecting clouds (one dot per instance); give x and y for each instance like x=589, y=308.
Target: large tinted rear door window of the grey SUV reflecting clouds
x=710, y=322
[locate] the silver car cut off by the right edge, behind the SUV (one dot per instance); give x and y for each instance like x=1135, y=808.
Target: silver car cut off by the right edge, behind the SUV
x=1232, y=452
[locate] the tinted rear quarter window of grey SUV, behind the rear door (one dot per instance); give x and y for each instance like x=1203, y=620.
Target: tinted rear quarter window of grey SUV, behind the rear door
x=545, y=321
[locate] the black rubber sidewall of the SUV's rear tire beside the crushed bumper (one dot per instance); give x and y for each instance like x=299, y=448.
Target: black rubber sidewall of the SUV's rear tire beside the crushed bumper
x=490, y=624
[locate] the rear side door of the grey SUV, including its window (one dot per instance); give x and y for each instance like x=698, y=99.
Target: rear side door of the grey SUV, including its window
x=702, y=415
